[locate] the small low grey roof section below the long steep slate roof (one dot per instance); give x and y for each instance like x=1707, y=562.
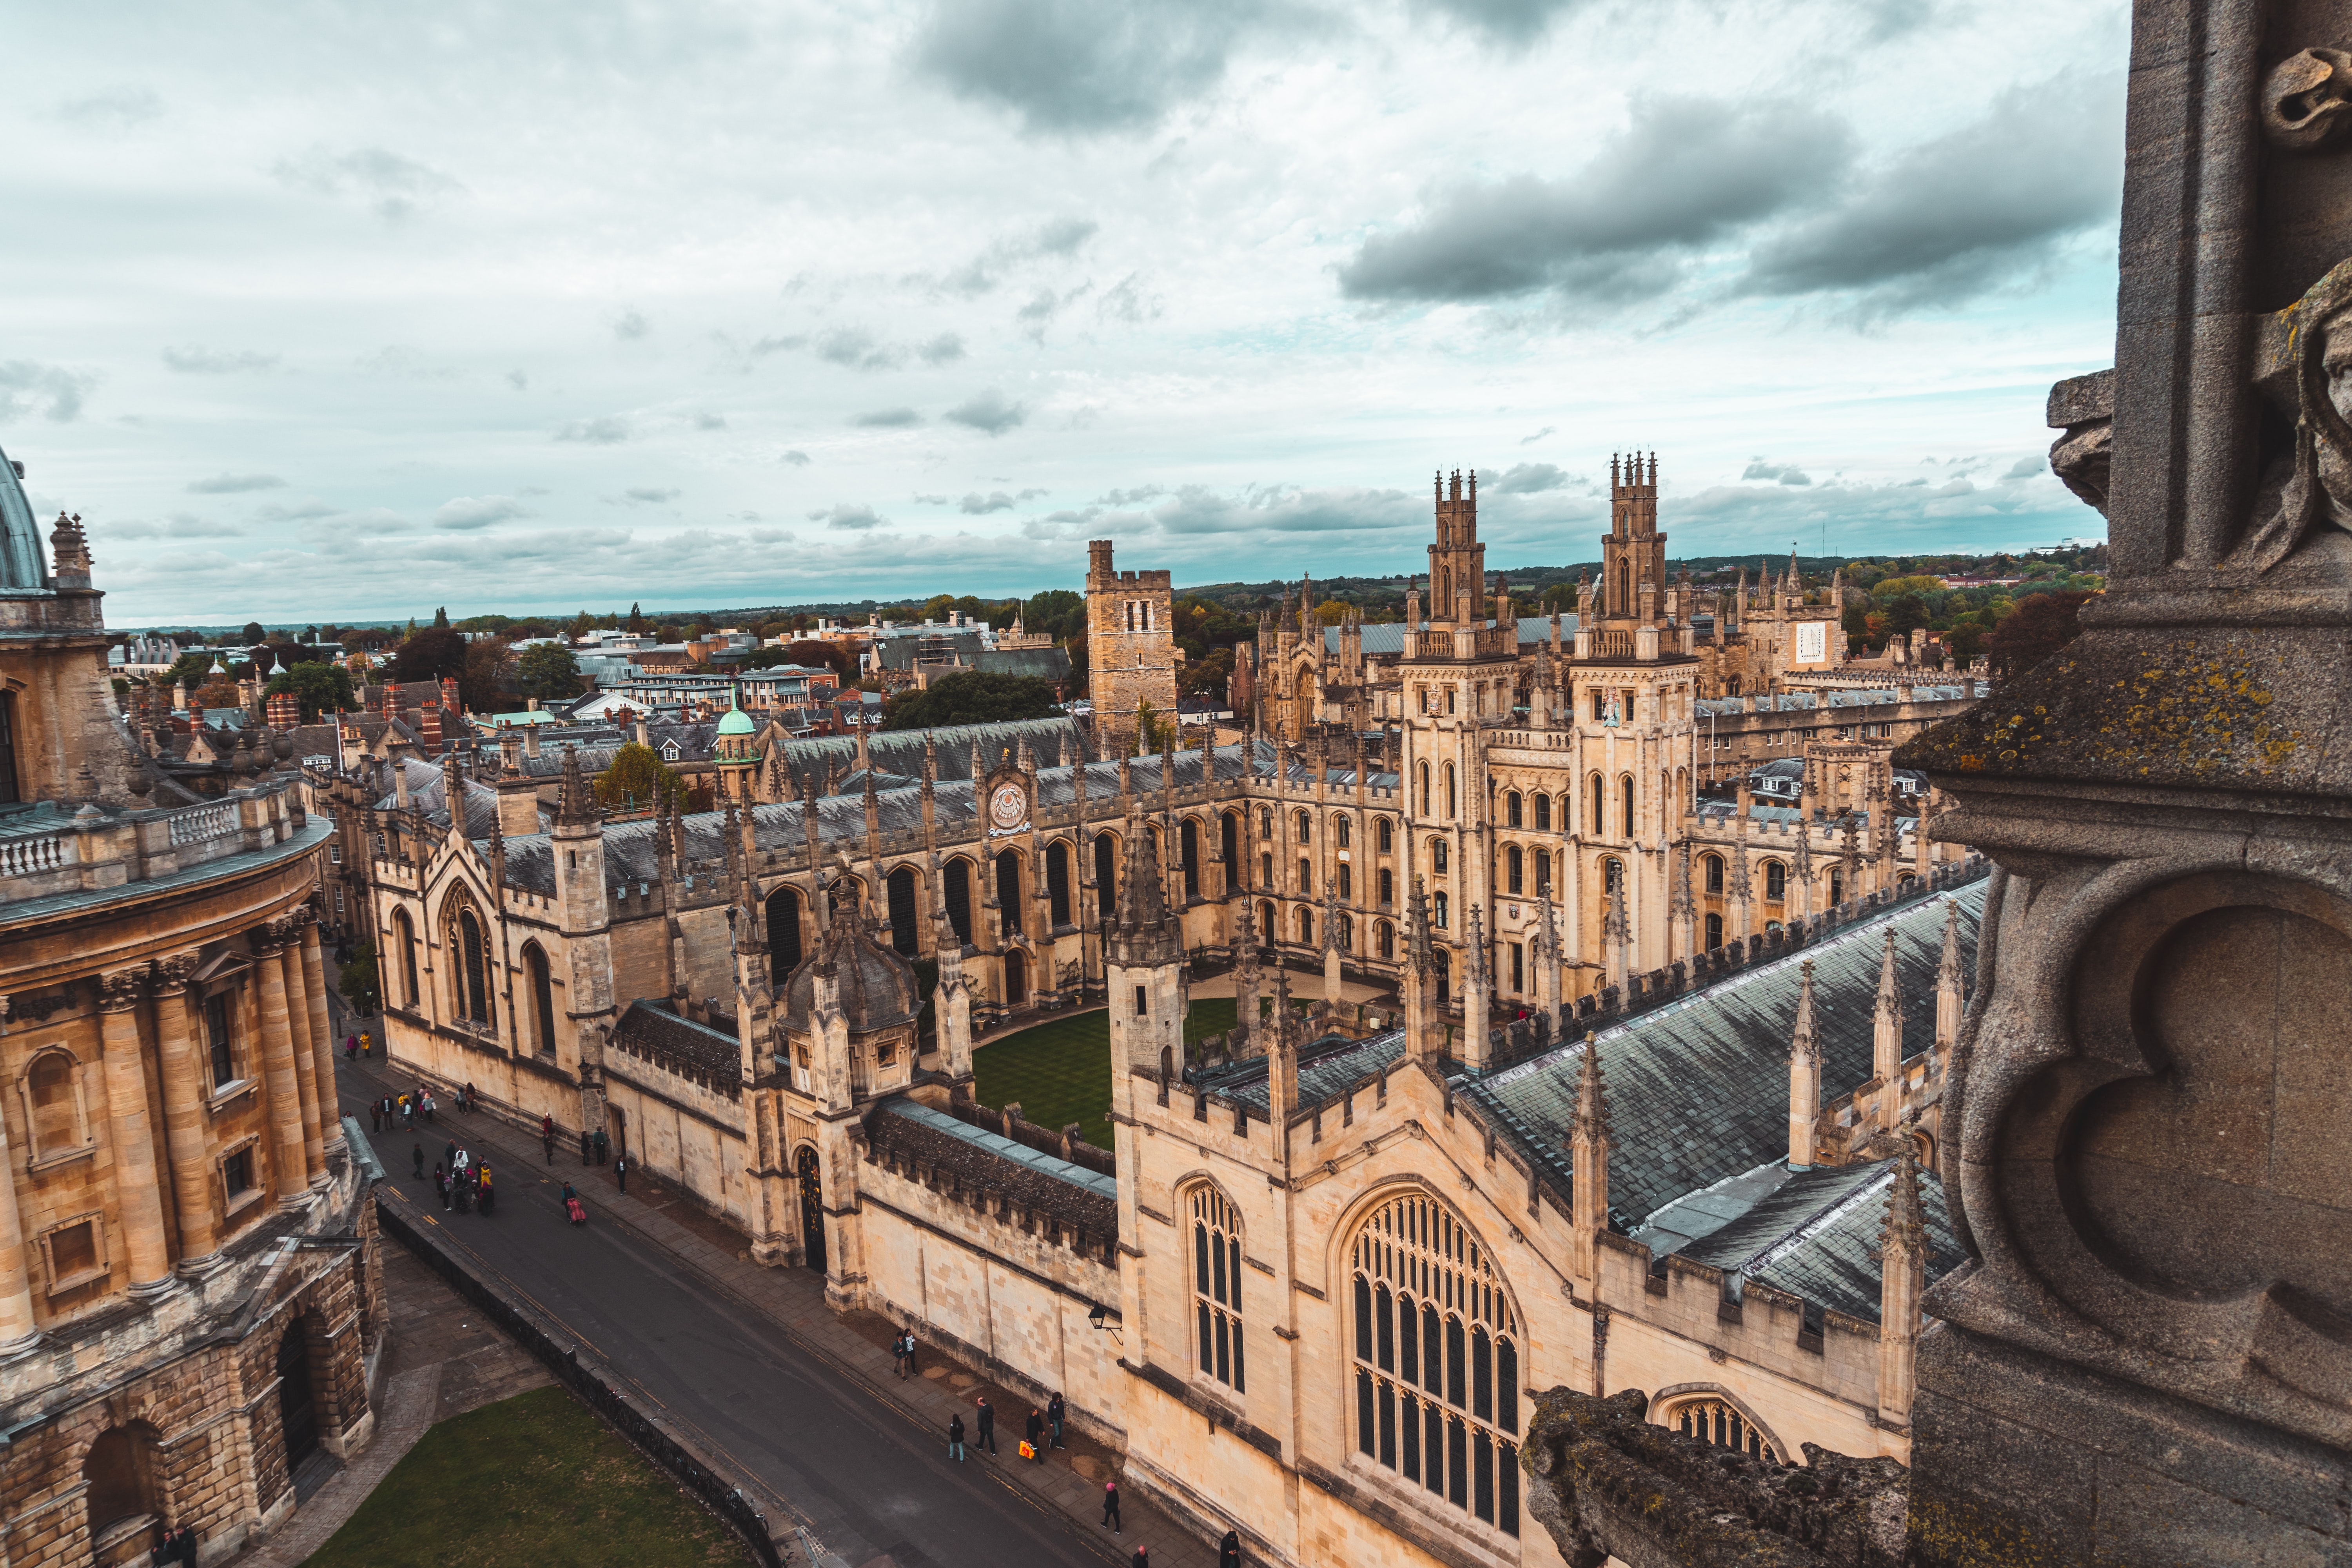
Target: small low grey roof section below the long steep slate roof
x=1819, y=1238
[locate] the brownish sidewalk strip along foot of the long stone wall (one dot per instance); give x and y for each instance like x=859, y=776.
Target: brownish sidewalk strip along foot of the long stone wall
x=857, y=1346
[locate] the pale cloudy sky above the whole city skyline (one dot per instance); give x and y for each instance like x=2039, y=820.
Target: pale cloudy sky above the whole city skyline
x=335, y=311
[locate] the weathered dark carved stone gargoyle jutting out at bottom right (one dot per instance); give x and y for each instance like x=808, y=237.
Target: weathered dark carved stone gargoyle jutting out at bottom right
x=1608, y=1482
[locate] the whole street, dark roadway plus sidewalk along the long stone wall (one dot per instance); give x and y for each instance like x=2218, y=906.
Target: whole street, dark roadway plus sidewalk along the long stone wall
x=754, y=1367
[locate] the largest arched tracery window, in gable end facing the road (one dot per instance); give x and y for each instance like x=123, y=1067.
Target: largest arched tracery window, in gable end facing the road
x=1436, y=1360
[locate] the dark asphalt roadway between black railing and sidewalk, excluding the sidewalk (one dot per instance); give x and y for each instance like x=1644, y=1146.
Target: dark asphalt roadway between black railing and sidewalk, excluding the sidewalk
x=841, y=1456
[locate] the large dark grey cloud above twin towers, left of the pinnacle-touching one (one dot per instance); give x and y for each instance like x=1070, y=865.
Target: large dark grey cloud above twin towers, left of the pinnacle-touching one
x=1683, y=175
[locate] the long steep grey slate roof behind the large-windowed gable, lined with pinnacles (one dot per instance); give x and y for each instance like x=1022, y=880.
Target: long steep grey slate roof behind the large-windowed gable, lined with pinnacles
x=1699, y=1087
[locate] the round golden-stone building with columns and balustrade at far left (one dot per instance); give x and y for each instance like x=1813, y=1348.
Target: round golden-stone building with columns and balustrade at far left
x=189, y=1296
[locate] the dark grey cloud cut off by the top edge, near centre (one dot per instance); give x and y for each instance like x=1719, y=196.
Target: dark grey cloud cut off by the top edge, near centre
x=1083, y=65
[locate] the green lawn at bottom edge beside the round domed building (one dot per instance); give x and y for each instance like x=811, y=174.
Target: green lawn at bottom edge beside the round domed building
x=530, y=1480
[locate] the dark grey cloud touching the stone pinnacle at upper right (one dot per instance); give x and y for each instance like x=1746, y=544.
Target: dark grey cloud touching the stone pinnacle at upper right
x=1965, y=213
